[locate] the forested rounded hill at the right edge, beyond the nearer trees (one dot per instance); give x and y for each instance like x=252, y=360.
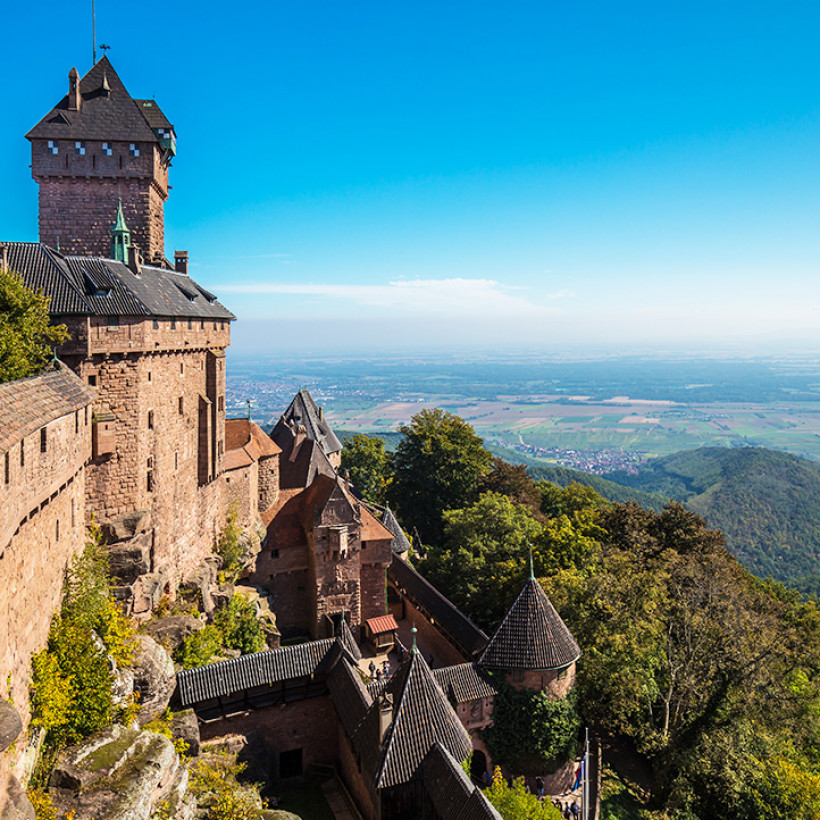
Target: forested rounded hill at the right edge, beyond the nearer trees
x=766, y=502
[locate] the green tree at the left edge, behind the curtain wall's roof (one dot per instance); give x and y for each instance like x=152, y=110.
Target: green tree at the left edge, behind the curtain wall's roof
x=26, y=338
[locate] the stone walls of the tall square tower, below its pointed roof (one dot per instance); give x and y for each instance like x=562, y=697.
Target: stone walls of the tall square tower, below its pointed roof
x=79, y=194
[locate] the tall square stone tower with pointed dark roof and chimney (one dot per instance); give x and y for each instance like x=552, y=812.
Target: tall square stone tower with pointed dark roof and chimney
x=97, y=147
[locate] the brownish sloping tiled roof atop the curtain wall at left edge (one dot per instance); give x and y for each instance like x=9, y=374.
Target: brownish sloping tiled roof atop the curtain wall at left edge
x=28, y=404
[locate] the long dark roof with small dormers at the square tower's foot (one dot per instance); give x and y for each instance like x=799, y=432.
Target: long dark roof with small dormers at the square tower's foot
x=94, y=286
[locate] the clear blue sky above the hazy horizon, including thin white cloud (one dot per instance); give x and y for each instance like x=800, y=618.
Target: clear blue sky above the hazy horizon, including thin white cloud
x=638, y=175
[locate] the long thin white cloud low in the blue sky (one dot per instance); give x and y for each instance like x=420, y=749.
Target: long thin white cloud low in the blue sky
x=432, y=296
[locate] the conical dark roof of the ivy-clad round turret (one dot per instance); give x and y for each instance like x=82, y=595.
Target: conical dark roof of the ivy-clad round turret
x=531, y=636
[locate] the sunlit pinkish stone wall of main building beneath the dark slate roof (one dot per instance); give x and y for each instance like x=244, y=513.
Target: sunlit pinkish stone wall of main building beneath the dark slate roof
x=154, y=381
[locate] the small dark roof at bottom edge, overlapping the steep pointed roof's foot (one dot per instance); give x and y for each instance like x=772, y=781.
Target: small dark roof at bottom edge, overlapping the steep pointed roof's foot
x=452, y=793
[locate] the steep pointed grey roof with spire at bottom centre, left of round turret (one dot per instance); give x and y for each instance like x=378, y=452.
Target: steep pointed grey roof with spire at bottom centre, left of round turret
x=421, y=716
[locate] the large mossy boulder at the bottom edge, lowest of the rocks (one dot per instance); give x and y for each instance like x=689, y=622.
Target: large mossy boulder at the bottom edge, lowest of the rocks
x=119, y=774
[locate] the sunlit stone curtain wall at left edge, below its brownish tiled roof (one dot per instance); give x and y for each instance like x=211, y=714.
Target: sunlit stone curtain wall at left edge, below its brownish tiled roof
x=41, y=509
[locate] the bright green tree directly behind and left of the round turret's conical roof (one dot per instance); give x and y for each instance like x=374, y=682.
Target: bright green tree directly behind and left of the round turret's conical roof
x=483, y=562
